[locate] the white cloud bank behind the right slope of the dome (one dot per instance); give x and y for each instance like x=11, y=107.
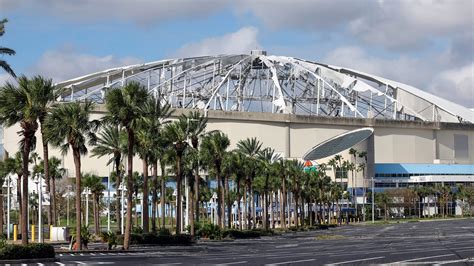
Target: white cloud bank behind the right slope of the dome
x=427, y=73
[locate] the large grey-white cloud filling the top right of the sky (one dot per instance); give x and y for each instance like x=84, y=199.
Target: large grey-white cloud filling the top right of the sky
x=395, y=25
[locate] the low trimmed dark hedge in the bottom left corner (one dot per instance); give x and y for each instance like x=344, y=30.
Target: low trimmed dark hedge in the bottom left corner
x=30, y=251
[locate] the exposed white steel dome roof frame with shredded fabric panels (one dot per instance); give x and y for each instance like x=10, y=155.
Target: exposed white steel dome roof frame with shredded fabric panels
x=257, y=82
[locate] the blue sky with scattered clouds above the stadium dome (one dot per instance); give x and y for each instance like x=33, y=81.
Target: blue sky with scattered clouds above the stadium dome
x=428, y=44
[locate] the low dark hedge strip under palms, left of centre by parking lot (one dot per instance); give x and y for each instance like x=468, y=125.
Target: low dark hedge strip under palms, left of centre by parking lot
x=154, y=239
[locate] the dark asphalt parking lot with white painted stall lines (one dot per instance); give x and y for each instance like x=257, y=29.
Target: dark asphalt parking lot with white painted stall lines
x=434, y=242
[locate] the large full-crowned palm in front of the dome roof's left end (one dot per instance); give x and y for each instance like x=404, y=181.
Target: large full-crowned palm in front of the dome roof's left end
x=69, y=126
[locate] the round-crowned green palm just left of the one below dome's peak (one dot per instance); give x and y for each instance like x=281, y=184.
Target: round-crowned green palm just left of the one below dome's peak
x=213, y=150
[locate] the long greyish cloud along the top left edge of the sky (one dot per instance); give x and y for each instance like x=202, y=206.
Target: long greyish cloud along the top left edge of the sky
x=139, y=11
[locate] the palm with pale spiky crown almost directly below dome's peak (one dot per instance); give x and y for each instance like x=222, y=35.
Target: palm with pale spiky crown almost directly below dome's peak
x=250, y=147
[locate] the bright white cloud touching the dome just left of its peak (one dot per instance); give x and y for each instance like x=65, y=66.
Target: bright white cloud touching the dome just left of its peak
x=240, y=42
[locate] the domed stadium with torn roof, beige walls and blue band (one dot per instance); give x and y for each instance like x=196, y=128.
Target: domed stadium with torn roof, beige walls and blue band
x=291, y=105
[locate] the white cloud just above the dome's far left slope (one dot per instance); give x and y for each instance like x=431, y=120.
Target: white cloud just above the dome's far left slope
x=67, y=63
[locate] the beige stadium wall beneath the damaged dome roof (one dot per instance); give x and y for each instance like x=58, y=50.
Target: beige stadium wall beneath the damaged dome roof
x=395, y=141
